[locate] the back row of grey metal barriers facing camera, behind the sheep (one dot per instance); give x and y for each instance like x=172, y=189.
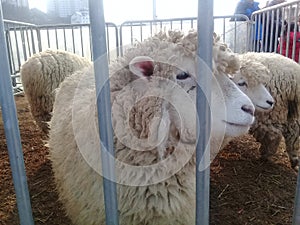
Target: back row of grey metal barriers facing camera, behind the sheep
x=24, y=39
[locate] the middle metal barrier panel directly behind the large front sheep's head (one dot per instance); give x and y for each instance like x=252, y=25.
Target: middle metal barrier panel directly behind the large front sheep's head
x=131, y=31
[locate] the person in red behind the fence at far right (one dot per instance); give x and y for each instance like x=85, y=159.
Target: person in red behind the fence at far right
x=290, y=36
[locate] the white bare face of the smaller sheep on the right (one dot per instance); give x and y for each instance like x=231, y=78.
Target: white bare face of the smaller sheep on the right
x=256, y=91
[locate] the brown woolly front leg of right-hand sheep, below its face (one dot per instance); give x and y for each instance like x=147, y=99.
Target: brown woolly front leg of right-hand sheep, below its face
x=269, y=138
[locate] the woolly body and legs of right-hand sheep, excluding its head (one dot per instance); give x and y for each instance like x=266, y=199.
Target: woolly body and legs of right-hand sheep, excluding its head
x=284, y=119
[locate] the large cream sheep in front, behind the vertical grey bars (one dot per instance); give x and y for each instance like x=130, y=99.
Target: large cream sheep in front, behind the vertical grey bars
x=153, y=91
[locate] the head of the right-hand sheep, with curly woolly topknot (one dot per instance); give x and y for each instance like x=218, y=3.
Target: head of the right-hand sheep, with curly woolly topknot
x=251, y=79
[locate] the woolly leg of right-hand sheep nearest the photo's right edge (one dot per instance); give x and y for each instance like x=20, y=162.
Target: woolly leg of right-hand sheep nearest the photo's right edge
x=292, y=142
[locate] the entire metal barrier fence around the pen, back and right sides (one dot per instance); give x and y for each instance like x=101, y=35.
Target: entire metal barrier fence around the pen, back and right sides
x=273, y=29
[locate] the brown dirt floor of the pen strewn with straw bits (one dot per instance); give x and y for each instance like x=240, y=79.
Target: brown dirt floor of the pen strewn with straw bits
x=244, y=189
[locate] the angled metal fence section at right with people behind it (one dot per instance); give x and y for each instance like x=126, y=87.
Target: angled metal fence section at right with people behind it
x=276, y=29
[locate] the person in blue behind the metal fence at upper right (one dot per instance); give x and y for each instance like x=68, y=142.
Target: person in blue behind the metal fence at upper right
x=270, y=38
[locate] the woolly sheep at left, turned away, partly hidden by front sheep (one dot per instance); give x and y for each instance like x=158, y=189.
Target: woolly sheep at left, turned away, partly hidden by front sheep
x=41, y=74
